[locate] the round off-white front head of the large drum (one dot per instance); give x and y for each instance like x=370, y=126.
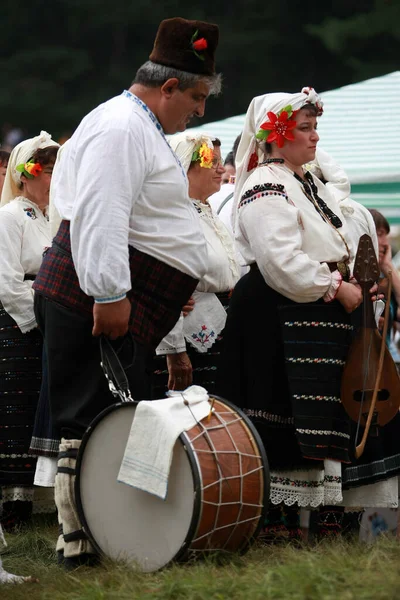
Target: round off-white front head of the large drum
x=125, y=523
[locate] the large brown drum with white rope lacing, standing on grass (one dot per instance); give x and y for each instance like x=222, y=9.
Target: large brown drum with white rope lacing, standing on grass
x=218, y=490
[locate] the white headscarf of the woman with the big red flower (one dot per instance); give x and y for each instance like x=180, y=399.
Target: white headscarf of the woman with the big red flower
x=255, y=116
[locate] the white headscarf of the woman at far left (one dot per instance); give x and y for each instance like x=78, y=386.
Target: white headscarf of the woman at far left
x=20, y=155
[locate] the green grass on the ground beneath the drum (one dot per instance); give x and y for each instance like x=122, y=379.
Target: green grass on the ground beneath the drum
x=333, y=570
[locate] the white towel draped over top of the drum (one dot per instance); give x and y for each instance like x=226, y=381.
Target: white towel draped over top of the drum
x=156, y=426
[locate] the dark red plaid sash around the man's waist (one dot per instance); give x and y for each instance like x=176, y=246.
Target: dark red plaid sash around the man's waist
x=157, y=295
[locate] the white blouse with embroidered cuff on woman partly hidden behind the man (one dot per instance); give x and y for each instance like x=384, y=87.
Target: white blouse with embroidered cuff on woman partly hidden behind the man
x=222, y=275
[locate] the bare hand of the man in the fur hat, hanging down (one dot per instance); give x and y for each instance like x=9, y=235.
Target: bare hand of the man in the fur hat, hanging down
x=111, y=319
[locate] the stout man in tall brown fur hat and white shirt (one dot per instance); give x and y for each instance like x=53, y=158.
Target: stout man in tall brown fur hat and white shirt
x=129, y=250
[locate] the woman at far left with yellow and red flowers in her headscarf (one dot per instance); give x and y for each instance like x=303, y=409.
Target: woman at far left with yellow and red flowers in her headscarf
x=24, y=235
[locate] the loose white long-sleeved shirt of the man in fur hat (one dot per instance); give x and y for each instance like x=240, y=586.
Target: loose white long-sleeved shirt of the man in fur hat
x=119, y=183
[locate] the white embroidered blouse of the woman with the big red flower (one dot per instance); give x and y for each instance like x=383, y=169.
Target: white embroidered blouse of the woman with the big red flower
x=279, y=228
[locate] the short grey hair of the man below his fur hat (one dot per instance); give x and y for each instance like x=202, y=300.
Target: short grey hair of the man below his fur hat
x=153, y=75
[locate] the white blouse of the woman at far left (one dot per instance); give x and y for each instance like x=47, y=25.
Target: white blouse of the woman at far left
x=24, y=235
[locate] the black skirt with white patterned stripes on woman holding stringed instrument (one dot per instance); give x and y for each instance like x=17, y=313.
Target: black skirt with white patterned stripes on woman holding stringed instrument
x=282, y=363
